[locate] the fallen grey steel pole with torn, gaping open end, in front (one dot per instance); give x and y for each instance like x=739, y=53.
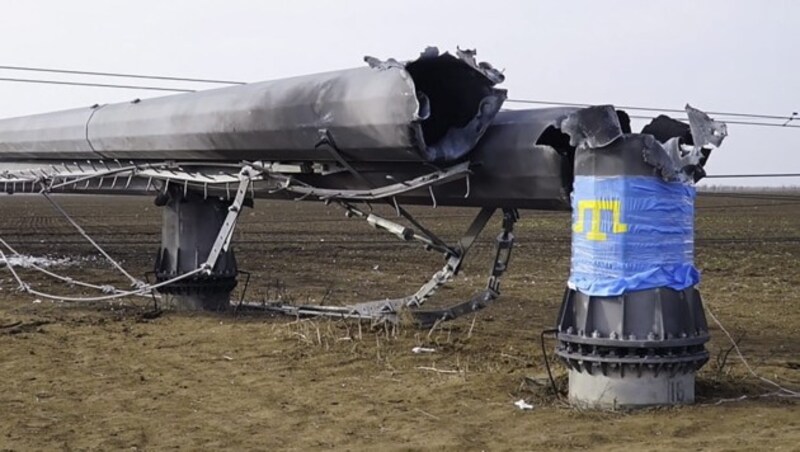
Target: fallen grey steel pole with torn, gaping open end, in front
x=432, y=109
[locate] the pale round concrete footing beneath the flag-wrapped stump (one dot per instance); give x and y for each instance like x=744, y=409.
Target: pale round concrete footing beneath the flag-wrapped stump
x=632, y=391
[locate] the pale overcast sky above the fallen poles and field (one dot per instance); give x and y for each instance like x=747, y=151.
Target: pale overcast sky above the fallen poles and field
x=739, y=56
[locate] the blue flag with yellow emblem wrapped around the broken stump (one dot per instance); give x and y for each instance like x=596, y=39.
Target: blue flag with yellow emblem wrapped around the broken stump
x=631, y=233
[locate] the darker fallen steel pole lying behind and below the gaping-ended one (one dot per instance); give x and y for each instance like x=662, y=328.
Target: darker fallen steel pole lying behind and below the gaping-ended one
x=522, y=162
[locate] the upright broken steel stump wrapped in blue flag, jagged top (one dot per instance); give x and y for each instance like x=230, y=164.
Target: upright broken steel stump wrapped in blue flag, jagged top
x=631, y=328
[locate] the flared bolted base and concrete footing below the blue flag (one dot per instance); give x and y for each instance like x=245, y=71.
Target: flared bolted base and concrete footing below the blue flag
x=641, y=348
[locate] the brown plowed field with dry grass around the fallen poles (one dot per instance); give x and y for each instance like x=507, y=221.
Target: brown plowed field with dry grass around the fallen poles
x=115, y=376
